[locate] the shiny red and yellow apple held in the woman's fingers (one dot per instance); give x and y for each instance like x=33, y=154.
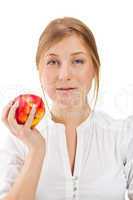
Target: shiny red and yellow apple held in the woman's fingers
x=26, y=102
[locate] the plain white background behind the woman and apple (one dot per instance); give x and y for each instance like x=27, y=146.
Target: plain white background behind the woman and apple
x=22, y=22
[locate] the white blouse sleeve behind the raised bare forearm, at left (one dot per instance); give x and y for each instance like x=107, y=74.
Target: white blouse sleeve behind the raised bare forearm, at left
x=12, y=156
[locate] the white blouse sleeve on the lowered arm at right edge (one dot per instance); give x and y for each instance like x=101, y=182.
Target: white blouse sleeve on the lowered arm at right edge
x=127, y=147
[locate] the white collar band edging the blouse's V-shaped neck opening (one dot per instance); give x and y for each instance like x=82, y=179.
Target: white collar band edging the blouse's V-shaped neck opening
x=64, y=148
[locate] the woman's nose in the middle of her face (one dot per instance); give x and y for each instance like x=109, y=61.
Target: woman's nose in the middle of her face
x=65, y=71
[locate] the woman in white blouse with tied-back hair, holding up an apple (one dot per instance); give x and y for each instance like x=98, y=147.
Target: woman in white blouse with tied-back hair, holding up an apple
x=81, y=153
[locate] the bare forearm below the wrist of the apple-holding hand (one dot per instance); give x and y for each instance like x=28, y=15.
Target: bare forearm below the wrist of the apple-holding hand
x=26, y=183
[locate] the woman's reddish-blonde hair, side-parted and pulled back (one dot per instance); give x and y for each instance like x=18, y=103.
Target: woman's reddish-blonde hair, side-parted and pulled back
x=60, y=28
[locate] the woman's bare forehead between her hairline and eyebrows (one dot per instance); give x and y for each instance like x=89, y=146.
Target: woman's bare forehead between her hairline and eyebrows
x=73, y=45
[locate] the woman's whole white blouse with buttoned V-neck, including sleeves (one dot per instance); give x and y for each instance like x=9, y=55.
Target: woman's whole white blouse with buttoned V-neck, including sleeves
x=103, y=167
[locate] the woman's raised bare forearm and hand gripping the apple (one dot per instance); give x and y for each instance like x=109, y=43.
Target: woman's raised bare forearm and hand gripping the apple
x=25, y=184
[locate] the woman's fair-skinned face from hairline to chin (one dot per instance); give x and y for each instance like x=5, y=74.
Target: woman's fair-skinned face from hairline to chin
x=67, y=64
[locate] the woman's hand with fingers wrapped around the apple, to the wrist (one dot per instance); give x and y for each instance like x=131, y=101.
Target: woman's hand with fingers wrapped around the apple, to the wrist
x=31, y=137
